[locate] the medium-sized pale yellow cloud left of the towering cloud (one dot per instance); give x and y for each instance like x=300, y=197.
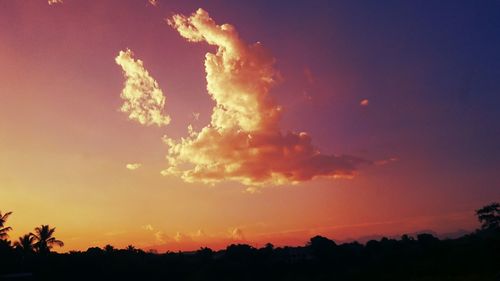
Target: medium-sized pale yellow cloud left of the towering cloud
x=144, y=100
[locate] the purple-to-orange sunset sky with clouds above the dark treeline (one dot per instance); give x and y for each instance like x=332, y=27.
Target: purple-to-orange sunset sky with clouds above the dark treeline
x=172, y=125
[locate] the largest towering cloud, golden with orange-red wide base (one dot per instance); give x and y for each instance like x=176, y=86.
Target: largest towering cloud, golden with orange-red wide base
x=243, y=141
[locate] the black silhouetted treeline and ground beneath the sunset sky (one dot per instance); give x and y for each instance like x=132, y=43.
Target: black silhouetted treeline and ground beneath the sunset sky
x=475, y=256
